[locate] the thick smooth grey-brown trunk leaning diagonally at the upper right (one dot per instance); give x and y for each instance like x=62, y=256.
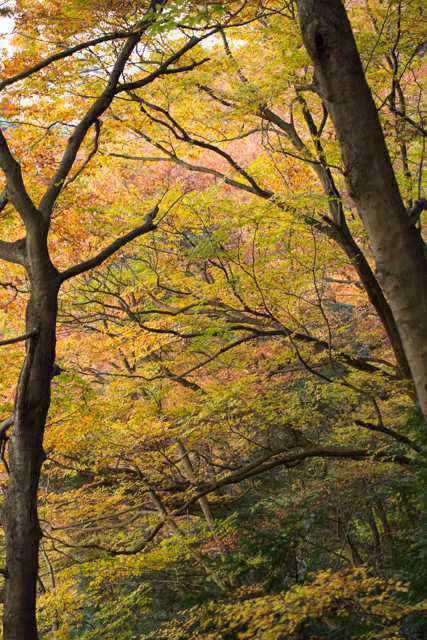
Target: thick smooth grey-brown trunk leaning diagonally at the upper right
x=397, y=248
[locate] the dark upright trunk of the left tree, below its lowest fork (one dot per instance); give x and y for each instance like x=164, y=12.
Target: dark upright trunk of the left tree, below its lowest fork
x=26, y=456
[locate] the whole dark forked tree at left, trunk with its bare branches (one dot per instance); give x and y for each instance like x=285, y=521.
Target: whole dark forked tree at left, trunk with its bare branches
x=32, y=253
